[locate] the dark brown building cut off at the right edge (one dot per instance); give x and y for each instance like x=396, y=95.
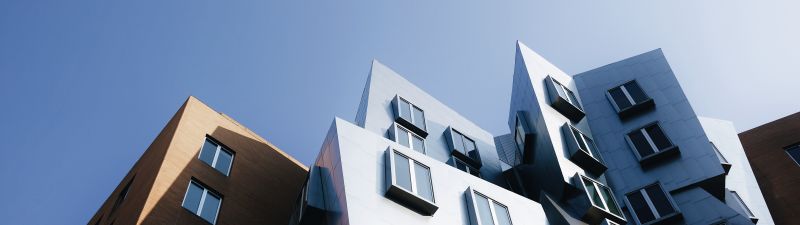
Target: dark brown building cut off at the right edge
x=774, y=152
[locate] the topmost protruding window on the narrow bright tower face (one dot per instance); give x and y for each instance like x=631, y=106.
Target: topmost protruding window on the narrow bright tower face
x=564, y=100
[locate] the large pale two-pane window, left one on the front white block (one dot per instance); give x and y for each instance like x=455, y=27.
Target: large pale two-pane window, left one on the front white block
x=412, y=176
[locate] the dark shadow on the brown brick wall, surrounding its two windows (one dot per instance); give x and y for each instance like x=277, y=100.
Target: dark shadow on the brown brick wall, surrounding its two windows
x=261, y=188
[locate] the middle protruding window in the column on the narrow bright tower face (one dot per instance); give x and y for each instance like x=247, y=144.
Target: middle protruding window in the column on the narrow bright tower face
x=582, y=150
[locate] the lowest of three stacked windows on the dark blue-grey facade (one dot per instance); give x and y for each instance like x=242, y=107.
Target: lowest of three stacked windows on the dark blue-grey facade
x=651, y=204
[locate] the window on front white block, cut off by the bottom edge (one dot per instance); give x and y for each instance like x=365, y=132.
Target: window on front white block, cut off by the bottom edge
x=486, y=211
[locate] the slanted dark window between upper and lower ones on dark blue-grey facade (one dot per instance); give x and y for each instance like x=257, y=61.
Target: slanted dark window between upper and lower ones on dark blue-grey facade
x=650, y=143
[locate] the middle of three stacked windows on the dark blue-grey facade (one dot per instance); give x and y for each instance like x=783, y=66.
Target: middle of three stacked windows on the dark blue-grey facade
x=649, y=140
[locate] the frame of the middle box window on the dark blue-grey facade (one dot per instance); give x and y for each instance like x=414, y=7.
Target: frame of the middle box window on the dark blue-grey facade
x=657, y=154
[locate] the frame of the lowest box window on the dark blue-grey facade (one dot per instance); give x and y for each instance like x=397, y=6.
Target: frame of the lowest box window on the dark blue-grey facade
x=657, y=218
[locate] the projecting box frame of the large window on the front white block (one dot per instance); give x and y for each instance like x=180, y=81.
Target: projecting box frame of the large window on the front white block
x=409, y=198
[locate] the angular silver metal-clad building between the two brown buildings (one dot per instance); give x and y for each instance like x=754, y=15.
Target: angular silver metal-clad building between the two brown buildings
x=619, y=144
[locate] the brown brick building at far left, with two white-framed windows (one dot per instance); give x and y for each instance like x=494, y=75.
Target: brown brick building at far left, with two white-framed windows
x=205, y=168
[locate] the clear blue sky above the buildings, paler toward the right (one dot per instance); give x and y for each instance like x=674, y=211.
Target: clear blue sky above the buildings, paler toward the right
x=87, y=85
